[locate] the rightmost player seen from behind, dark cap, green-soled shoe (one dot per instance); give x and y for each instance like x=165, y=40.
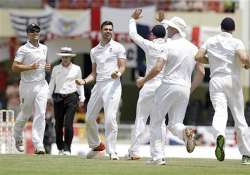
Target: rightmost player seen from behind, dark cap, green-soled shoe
x=225, y=55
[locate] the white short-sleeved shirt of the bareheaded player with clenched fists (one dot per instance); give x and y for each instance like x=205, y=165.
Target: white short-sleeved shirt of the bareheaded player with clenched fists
x=106, y=58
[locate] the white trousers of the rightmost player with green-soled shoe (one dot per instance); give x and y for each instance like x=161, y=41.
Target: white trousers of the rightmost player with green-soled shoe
x=226, y=91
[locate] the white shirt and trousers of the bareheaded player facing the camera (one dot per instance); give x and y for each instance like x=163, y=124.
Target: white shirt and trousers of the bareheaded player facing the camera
x=106, y=93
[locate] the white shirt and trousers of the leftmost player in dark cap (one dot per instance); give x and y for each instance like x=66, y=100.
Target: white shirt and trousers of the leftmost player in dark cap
x=33, y=90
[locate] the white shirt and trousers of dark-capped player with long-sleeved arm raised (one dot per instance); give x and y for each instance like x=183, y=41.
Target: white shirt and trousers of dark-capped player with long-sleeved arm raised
x=153, y=50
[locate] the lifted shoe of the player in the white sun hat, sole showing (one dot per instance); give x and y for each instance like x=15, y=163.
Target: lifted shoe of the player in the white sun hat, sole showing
x=189, y=139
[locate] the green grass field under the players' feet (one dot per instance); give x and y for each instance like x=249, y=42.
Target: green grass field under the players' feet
x=62, y=165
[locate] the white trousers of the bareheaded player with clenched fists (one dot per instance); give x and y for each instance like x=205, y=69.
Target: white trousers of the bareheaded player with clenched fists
x=106, y=94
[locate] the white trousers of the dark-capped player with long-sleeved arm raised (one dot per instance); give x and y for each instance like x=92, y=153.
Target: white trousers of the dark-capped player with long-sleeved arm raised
x=143, y=109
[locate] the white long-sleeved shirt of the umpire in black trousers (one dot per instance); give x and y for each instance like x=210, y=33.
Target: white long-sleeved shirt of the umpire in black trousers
x=63, y=80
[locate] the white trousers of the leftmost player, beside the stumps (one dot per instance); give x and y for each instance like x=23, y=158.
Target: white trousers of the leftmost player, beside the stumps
x=33, y=99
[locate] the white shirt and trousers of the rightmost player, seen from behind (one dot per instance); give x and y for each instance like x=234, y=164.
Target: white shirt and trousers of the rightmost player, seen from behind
x=225, y=86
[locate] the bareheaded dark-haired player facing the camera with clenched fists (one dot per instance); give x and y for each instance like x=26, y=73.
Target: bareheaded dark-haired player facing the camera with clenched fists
x=108, y=64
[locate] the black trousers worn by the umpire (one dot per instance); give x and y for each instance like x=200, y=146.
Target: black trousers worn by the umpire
x=64, y=108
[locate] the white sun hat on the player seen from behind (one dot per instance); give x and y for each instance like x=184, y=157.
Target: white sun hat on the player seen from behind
x=177, y=23
